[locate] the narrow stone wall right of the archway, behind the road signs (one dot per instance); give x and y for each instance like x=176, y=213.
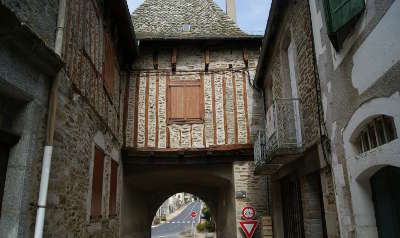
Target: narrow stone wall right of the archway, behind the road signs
x=254, y=188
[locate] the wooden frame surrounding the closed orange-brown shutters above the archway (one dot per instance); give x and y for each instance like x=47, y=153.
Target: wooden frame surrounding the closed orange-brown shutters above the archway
x=184, y=84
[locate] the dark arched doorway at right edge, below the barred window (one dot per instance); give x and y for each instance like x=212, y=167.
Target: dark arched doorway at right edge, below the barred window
x=386, y=197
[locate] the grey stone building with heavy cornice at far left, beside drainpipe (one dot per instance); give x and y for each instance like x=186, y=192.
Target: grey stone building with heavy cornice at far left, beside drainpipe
x=28, y=65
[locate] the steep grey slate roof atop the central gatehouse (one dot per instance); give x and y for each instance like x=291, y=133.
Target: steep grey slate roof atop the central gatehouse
x=164, y=19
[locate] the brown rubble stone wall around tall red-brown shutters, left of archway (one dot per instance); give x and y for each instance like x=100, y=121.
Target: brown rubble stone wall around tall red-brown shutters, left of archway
x=78, y=130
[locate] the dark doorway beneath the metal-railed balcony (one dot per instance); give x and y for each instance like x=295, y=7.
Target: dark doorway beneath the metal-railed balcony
x=292, y=208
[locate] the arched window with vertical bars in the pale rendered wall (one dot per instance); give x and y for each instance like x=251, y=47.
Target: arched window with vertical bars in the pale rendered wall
x=377, y=132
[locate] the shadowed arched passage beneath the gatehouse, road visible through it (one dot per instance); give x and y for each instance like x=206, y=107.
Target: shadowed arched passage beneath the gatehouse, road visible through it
x=146, y=187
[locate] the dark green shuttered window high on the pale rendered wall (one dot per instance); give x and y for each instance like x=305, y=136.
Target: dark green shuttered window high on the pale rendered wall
x=340, y=16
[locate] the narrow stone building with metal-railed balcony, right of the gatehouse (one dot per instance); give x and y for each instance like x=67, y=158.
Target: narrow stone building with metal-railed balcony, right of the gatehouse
x=291, y=151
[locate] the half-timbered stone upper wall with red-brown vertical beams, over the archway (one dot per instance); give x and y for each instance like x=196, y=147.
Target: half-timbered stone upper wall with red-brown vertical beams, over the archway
x=228, y=99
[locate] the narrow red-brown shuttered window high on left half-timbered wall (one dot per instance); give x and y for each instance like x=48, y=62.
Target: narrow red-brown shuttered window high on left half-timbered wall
x=109, y=64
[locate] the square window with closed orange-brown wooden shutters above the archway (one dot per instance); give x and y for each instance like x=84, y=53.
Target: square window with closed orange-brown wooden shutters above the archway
x=185, y=102
